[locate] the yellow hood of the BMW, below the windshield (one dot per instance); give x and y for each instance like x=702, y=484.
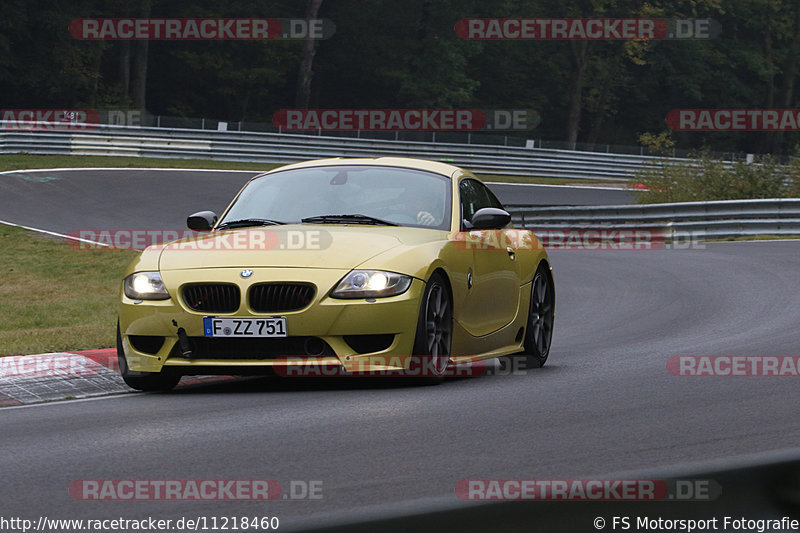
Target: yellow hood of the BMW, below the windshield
x=302, y=246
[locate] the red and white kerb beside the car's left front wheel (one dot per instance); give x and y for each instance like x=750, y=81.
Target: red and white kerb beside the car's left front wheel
x=26, y=379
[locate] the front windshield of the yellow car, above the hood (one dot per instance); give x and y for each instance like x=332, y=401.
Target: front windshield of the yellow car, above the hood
x=358, y=194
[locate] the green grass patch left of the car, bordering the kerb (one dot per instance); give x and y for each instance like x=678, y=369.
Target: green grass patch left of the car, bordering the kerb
x=56, y=298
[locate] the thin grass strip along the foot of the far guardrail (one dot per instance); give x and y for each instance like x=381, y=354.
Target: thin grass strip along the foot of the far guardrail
x=27, y=161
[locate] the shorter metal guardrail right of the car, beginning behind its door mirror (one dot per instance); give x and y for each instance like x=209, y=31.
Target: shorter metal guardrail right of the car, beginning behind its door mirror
x=697, y=220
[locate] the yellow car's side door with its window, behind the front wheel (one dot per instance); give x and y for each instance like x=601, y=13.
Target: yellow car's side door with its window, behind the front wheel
x=492, y=300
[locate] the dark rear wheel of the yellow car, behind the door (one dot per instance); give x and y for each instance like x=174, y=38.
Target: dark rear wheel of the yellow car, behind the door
x=541, y=312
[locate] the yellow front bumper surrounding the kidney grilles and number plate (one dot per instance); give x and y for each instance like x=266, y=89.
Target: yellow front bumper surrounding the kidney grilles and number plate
x=149, y=329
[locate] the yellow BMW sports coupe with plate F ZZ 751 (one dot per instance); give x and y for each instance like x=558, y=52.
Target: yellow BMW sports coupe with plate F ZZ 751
x=361, y=265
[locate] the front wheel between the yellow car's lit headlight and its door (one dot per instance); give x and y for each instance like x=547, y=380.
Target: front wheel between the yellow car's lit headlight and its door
x=434, y=336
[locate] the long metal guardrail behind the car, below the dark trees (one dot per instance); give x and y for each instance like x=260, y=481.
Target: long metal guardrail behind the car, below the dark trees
x=106, y=140
